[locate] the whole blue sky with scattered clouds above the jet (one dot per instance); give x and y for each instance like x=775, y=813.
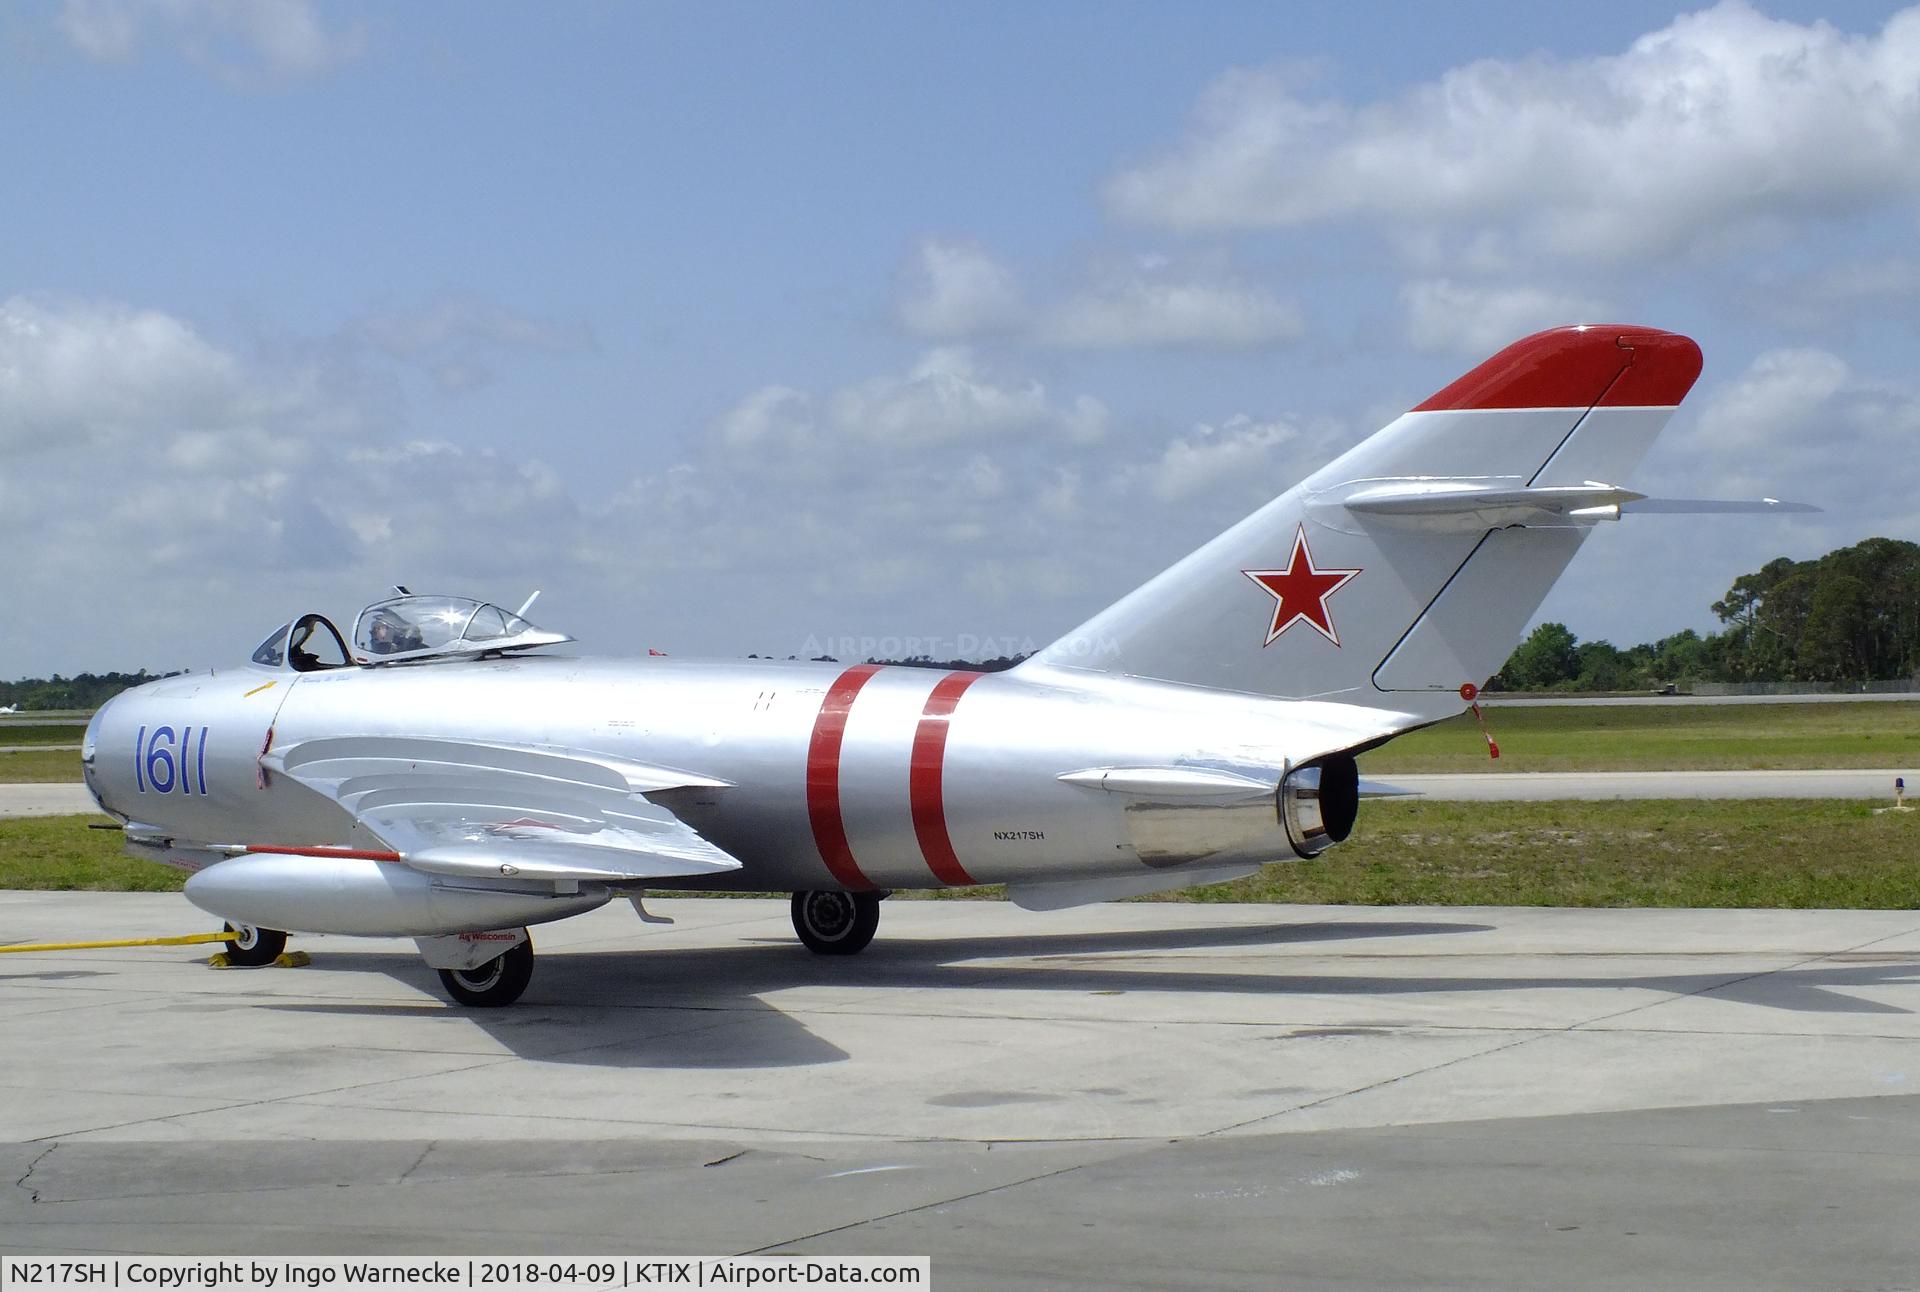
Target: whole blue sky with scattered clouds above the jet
x=775, y=327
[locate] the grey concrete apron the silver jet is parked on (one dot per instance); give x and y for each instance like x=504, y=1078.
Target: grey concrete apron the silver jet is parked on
x=1109, y=1097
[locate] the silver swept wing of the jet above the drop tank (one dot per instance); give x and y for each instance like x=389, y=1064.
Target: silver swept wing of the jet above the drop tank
x=487, y=809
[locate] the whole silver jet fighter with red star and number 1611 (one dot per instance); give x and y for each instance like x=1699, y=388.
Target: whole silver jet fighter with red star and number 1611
x=431, y=778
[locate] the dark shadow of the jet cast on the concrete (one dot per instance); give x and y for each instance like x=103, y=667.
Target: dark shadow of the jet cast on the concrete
x=667, y=1007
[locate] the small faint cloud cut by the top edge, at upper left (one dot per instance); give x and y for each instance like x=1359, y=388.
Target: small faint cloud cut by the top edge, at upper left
x=237, y=39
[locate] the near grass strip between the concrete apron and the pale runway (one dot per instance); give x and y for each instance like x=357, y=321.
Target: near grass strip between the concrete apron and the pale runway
x=1664, y=853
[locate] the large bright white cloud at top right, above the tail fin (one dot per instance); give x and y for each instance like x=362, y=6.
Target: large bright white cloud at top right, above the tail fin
x=1698, y=133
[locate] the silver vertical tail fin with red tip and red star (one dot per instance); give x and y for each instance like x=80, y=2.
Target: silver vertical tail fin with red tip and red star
x=1410, y=565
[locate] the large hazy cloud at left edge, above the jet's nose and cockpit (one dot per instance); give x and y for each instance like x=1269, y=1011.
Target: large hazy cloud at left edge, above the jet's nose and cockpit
x=162, y=479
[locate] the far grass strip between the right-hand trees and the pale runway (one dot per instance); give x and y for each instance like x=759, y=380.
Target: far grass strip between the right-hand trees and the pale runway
x=1656, y=738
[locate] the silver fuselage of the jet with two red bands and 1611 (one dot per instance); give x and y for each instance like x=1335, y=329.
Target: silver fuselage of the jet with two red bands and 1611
x=834, y=777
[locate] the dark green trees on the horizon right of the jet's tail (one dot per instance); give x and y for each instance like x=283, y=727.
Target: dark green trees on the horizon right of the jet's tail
x=1842, y=619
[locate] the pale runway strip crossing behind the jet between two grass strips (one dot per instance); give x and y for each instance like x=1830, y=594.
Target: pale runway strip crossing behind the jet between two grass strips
x=1449, y=788
